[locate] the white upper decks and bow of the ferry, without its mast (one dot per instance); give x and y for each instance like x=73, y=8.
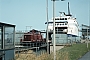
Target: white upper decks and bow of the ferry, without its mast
x=64, y=24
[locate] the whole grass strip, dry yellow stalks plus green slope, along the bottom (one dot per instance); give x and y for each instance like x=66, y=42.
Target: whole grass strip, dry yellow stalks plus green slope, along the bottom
x=73, y=52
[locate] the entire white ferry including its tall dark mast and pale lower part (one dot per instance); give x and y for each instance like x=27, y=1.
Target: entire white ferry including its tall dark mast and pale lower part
x=66, y=25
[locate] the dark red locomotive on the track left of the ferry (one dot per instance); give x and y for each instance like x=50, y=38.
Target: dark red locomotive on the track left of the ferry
x=32, y=36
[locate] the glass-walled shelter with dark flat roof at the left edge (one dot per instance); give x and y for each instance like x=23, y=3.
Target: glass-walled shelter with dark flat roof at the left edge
x=7, y=37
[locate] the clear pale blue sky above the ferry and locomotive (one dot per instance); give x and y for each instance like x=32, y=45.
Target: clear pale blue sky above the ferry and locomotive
x=24, y=13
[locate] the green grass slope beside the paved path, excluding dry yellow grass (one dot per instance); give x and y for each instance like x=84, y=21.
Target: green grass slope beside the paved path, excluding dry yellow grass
x=76, y=51
